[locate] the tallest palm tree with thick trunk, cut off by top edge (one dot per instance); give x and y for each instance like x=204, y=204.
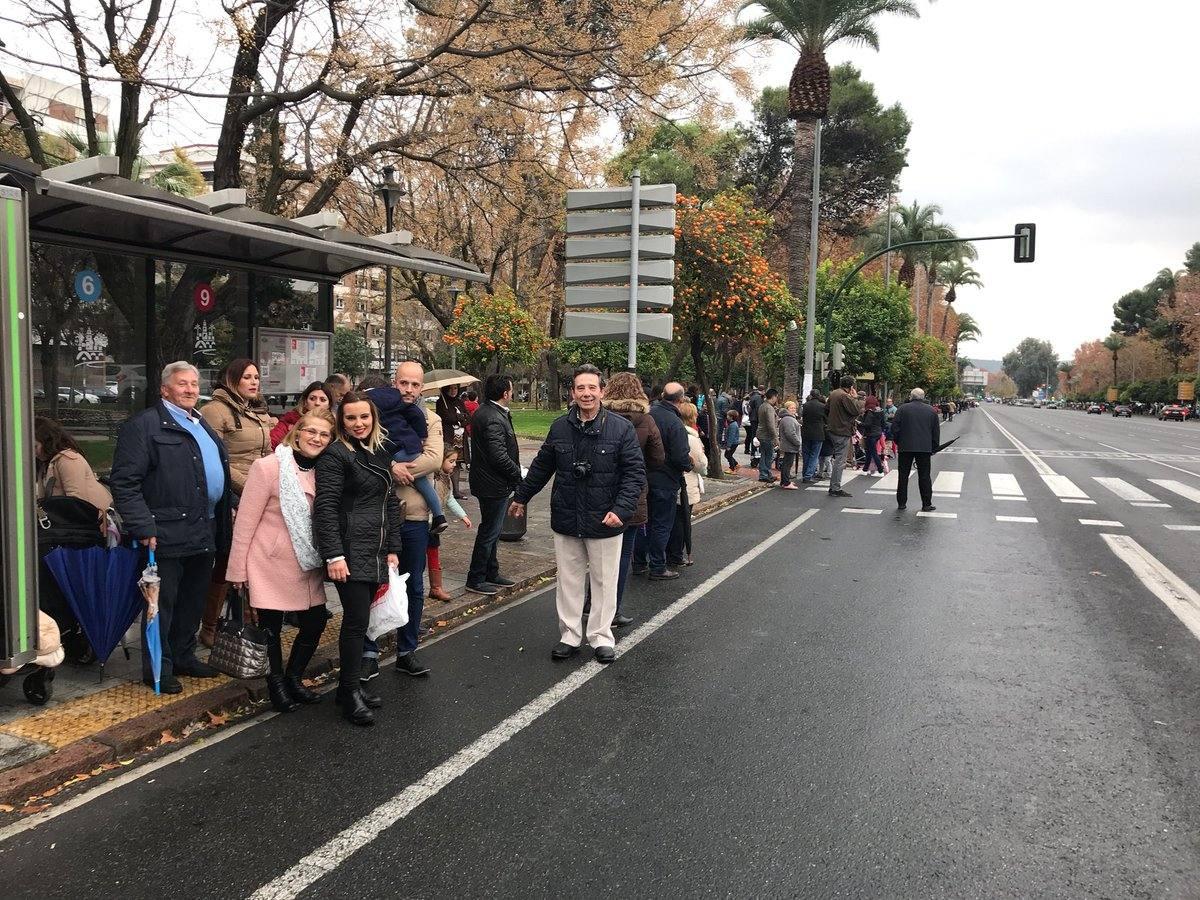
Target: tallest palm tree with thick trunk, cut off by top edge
x=813, y=27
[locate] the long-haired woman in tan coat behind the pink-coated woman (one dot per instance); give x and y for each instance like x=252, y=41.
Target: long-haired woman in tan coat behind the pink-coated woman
x=239, y=416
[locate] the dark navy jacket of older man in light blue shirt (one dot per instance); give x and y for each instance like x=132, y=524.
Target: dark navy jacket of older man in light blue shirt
x=160, y=488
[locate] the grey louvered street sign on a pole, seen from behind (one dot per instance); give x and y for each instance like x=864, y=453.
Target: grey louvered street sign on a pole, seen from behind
x=621, y=256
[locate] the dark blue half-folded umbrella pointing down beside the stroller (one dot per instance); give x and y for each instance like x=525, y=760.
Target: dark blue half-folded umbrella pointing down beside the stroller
x=101, y=586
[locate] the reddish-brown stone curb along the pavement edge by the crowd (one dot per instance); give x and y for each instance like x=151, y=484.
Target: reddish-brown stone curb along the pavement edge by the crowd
x=143, y=733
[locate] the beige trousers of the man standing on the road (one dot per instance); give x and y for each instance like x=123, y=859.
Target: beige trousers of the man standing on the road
x=583, y=561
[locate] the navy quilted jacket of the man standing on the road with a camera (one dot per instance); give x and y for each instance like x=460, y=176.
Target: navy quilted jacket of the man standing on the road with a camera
x=578, y=506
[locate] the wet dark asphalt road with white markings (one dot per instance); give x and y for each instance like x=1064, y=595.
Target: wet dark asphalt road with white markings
x=830, y=704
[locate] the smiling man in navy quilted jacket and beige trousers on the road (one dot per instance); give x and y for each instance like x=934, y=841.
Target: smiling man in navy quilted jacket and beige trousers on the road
x=599, y=476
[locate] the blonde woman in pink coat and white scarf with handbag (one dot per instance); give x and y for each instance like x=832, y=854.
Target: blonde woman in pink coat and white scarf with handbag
x=274, y=554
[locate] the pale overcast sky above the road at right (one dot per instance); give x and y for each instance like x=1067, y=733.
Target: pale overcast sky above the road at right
x=1057, y=112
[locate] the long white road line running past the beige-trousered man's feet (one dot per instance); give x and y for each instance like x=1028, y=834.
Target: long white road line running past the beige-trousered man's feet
x=327, y=859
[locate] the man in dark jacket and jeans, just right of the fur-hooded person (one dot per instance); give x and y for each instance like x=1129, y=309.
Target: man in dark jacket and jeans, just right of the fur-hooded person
x=665, y=483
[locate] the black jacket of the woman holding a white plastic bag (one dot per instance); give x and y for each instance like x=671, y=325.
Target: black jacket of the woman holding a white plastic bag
x=356, y=513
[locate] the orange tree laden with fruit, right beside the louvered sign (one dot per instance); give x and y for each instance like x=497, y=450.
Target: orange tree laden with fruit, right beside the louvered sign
x=728, y=297
